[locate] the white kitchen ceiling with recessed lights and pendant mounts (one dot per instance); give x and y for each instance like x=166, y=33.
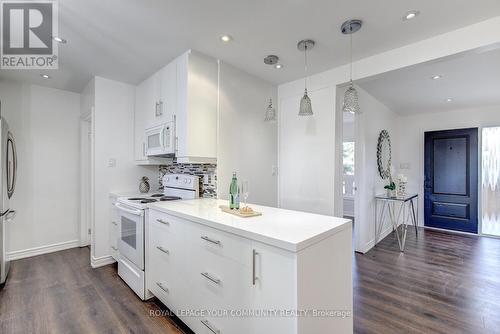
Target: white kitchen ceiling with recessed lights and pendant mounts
x=127, y=40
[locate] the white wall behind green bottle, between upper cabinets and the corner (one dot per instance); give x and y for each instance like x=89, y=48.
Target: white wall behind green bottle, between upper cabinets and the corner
x=246, y=144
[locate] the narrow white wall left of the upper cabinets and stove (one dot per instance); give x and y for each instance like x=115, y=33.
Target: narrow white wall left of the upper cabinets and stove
x=113, y=123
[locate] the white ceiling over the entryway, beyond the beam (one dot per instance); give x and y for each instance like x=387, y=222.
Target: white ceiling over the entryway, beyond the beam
x=470, y=80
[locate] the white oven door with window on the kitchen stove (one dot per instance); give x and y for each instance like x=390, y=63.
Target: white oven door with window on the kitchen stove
x=131, y=242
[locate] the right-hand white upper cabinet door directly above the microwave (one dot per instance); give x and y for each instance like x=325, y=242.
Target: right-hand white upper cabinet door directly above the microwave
x=168, y=96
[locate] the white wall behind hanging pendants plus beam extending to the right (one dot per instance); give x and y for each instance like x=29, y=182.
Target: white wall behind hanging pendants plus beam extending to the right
x=300, y=155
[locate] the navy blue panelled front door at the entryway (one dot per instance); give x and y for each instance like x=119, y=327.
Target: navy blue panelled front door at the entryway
x=451, y=179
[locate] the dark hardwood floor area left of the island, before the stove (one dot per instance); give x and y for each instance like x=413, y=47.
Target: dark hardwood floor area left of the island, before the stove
x=61, y=293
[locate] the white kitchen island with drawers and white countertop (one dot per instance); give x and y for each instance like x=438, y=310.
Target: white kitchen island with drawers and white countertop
x=282, y=272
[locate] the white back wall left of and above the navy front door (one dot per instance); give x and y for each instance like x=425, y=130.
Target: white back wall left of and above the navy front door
x=411, y=143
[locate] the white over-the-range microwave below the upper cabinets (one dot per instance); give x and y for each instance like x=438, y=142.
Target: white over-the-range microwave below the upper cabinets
x=160, y=140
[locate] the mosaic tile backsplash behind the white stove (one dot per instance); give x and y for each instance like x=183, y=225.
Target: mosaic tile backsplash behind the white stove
x=206, y=172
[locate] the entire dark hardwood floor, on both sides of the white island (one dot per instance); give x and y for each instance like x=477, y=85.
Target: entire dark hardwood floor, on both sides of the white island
x=443, y=283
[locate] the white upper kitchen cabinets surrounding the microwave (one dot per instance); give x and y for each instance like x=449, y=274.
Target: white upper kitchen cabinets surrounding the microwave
x=185, y=92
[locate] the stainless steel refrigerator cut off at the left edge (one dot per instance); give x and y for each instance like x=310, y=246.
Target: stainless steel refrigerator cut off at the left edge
x=8, y=171
